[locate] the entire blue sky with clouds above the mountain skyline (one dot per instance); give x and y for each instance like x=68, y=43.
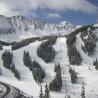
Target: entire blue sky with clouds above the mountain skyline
x=77, y=12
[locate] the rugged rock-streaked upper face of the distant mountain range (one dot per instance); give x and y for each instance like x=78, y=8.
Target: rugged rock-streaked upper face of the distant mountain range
x=19, y=24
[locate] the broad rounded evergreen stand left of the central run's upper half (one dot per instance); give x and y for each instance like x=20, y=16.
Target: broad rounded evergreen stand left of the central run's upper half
x=46, y=51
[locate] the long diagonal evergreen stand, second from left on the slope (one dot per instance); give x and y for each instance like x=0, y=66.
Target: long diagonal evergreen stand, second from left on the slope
x=37, y=71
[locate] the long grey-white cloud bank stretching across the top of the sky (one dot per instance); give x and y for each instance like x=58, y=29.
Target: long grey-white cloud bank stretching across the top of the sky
x=11, y=7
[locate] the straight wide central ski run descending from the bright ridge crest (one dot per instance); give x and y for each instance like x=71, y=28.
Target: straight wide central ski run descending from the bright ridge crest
x=63, y=59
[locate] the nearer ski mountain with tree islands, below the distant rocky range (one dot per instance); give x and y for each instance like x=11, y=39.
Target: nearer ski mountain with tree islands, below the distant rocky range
x=77, y=51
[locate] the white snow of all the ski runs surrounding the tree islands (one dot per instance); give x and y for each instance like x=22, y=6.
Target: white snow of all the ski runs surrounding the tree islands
x=86, y=71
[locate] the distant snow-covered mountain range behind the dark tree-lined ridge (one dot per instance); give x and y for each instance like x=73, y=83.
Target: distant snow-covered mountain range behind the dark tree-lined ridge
x=21, y=25
